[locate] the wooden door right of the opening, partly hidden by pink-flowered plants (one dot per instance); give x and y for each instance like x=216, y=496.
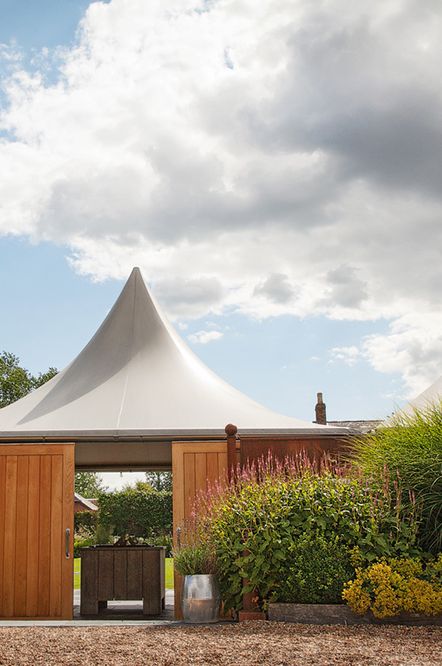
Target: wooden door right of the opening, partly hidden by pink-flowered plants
x=195, y=465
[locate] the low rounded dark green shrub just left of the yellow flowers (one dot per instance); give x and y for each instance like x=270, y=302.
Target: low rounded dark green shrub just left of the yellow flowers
x=316, y=571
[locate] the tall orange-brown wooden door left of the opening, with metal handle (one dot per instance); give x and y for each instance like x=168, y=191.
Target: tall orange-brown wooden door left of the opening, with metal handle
x=36, y=531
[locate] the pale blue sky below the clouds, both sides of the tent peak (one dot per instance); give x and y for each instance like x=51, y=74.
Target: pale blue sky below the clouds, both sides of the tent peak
x=49, y=313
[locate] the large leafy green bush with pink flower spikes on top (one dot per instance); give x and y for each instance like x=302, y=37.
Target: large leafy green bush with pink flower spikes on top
x=263, y=529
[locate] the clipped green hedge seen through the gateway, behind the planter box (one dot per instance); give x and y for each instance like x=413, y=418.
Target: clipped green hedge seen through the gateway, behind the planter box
x=138, y=511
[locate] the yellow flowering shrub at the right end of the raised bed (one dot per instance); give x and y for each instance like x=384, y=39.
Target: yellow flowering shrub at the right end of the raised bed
x=388, y=588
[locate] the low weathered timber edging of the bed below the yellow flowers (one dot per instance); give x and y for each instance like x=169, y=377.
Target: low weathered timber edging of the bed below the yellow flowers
x=340, y=614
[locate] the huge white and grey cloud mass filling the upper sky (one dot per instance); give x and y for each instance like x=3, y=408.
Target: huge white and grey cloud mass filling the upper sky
x=268, y=158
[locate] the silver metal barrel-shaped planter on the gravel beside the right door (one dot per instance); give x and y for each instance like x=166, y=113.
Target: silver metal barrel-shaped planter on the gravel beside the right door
x=201, y=599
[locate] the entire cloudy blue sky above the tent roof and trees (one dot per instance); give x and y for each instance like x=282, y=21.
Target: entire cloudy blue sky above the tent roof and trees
x=274, y=168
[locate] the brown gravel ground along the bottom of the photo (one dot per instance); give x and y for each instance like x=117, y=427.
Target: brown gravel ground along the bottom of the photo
x=275, y=644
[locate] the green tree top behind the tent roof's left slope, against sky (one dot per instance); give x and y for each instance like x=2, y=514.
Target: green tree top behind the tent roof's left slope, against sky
x=15, y=381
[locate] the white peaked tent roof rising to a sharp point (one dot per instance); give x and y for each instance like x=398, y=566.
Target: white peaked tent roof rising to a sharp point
x=137, y=378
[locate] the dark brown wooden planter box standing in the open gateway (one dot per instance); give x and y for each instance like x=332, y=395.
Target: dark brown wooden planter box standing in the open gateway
x=123, y=573
